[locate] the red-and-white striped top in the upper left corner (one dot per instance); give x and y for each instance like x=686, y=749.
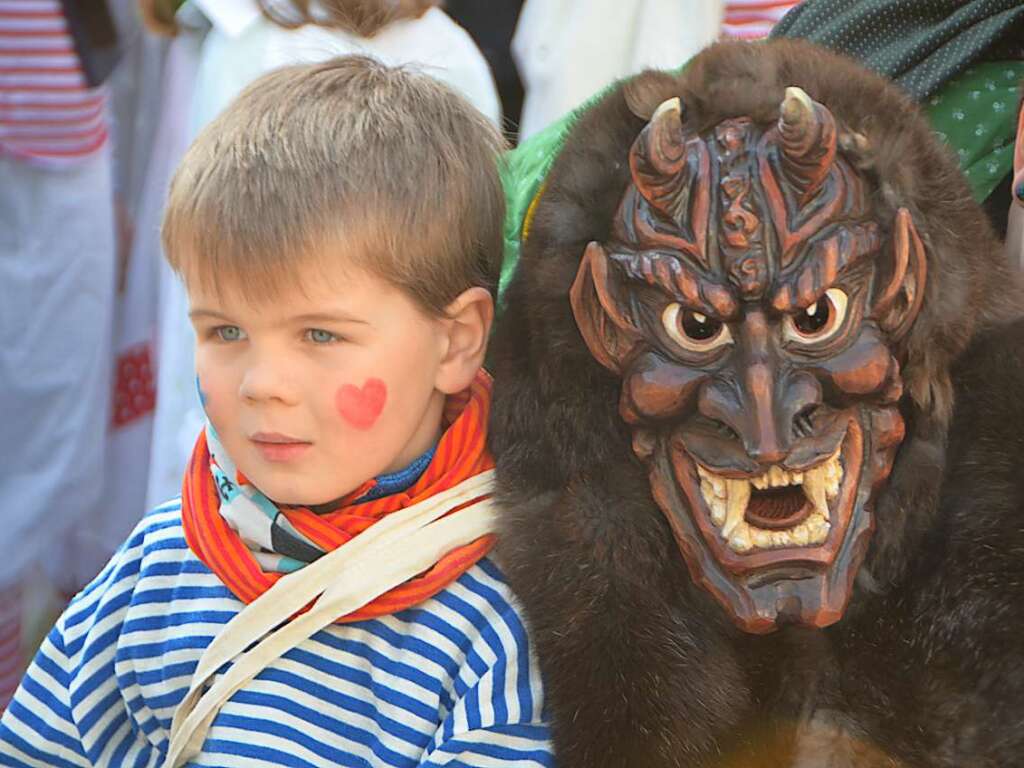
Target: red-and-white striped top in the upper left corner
x=48, y=113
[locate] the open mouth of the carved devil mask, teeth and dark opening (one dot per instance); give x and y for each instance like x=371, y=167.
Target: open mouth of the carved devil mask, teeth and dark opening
x=778, y=509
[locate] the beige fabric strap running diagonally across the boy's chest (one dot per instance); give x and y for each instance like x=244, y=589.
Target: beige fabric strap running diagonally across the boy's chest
x=397, y=549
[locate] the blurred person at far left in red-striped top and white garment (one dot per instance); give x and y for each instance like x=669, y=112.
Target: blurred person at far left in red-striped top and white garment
x=58, y=263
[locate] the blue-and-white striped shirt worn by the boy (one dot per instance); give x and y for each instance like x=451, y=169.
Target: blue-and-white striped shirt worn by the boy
x=451, y=682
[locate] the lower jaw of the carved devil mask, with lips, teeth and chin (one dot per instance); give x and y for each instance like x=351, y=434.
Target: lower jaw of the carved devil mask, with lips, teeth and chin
x=788, y=541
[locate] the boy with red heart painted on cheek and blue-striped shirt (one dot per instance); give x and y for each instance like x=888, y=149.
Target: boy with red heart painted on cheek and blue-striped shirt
x=338, y=230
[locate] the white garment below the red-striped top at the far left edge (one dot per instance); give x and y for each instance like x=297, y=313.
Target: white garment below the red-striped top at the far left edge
x=57, y=270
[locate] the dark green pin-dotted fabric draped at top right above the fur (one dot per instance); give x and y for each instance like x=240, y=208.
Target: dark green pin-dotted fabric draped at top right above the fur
x=920, y=45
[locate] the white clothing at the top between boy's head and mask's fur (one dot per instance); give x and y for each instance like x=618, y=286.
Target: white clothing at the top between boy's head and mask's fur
x=568, y=51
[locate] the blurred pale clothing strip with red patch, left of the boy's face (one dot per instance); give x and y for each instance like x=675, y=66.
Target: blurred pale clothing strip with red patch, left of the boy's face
x=136, y=96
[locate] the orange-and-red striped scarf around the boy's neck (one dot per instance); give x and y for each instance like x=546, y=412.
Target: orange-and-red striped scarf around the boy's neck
x=461, y=454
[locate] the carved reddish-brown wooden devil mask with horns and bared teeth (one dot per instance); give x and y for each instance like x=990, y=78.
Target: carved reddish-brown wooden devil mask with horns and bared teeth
x=751, y=305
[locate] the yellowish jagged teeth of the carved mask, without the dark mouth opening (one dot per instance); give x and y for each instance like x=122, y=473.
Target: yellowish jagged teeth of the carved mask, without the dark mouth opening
x=728, y=499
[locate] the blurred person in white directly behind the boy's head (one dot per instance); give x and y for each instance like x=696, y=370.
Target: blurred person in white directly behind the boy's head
x=233, y=45
